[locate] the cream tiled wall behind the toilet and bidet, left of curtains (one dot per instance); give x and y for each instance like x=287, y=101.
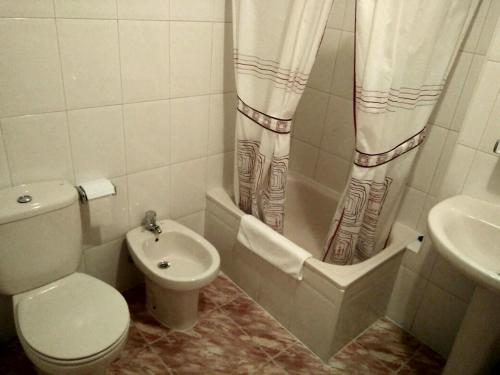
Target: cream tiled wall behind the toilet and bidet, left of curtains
x=138, y=91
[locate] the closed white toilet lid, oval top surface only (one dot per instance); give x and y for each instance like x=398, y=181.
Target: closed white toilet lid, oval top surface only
x=72, y=318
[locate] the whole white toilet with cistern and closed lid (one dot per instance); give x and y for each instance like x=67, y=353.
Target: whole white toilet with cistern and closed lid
x=67, y=322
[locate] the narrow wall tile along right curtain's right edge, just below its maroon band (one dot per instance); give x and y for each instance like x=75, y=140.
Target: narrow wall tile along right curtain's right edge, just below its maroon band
x=428, y=158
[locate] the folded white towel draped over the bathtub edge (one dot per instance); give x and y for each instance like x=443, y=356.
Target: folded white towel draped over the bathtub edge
x=272, y=246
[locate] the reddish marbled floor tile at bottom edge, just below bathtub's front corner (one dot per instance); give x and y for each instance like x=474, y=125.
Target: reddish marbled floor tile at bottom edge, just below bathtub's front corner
x=298, y=360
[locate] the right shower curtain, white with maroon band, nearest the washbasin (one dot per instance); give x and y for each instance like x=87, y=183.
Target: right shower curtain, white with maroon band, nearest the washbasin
x=404, y=51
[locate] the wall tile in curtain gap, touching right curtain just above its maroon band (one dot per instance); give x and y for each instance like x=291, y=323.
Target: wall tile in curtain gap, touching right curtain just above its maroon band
x=338, y=132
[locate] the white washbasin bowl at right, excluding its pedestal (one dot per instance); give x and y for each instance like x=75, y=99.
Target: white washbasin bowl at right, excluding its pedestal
x=466, y=231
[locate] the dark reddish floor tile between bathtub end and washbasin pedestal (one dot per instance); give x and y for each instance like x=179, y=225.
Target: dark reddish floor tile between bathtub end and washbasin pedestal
x=390, y=344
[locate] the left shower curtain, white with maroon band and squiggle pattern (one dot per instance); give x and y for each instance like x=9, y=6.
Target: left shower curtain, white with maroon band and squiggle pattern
x=275, y=44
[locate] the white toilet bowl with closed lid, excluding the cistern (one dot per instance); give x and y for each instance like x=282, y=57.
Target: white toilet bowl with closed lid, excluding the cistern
x=75, y=325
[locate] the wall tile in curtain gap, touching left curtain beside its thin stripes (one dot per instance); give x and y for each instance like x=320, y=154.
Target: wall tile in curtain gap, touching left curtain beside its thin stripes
x=322, y=70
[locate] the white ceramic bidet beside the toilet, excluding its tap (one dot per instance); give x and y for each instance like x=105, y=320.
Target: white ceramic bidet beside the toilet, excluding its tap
x=176, y=263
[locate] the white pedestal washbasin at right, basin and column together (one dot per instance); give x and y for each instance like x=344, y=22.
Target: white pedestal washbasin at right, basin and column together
x=466, y=231
